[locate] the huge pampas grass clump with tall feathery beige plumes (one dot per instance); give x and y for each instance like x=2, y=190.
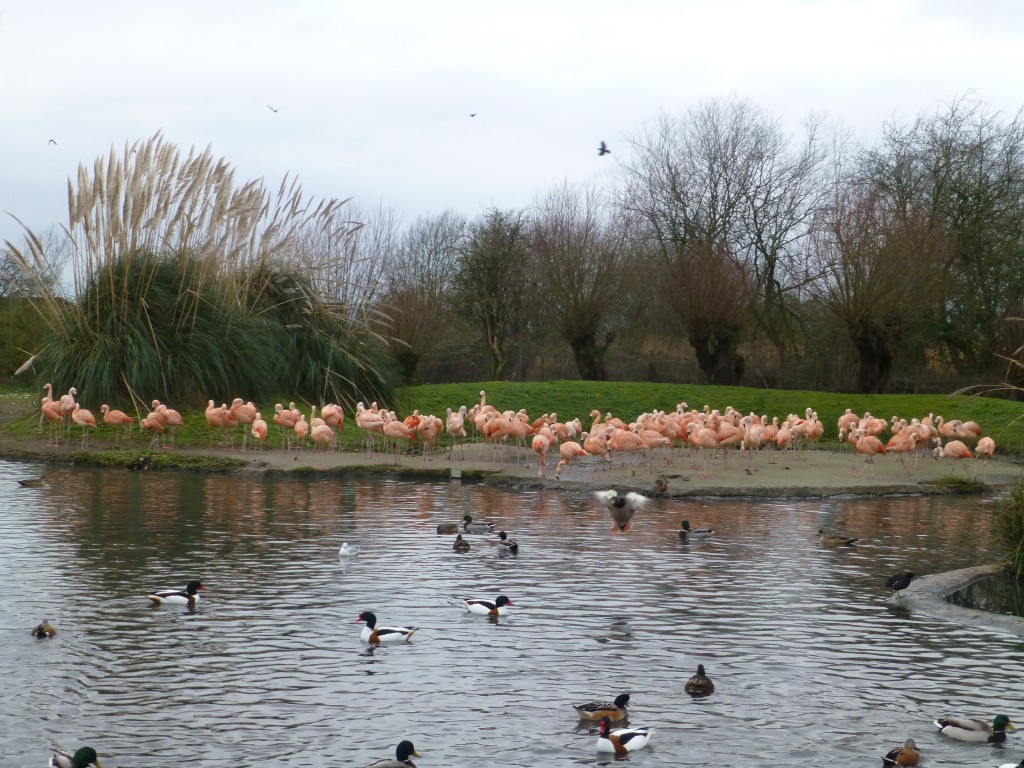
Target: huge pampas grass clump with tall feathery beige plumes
x=187, y=287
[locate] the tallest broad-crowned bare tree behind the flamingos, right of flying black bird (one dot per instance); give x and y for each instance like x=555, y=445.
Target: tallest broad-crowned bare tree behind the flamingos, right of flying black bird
x=728, y=201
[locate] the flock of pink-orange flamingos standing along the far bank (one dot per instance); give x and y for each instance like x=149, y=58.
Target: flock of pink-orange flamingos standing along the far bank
x=706, y=435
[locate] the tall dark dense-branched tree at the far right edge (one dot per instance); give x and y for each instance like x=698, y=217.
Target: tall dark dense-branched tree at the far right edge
x=964, y=167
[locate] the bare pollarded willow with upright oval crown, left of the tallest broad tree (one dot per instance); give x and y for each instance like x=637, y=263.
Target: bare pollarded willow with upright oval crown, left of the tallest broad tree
x=582, y=262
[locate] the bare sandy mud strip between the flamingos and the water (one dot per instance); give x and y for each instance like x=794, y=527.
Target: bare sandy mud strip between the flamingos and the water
x=818, y=473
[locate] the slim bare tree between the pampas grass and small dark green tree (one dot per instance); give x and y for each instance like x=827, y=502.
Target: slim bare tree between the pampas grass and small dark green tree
x=421, y=273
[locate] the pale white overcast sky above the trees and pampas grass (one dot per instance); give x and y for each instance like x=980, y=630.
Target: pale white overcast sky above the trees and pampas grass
x=374, y=99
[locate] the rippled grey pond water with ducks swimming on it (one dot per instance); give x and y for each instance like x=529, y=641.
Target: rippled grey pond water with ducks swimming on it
x=814, y=660
